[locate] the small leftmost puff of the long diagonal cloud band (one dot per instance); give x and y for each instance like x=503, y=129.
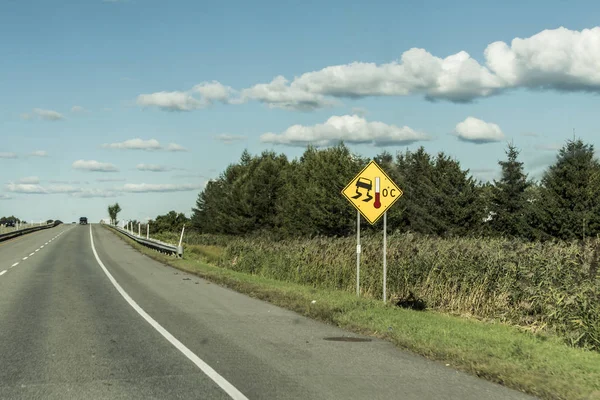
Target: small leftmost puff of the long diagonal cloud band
x=207, y=94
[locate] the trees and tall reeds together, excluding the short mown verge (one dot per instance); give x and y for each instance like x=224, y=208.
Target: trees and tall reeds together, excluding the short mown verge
x=515, y=251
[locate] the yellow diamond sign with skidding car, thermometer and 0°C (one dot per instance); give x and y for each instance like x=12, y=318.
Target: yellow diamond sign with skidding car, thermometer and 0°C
x=372, y=192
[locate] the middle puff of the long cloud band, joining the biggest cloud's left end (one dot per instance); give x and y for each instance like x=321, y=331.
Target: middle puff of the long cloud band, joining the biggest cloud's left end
x=278, y=94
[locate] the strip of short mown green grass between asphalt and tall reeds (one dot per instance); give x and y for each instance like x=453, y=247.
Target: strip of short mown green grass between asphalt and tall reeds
x=539, y=365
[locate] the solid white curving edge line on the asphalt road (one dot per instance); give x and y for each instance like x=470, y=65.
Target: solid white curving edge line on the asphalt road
x=207, y=369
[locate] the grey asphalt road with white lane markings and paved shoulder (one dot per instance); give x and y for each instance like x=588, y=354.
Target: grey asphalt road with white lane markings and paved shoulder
x=104, y=322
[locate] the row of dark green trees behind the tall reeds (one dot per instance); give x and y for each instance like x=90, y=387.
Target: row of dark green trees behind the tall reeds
x=268, y=193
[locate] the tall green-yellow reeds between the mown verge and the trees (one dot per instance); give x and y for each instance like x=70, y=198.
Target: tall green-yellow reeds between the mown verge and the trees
x=543, y=287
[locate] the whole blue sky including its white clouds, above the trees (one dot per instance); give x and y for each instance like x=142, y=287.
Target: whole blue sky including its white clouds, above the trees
x=77, y=75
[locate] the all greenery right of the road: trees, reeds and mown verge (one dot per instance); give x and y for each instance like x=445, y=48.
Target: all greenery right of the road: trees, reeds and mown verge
x=488, y=264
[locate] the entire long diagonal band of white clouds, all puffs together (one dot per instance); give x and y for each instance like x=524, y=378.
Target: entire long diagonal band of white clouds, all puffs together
x=554, y=59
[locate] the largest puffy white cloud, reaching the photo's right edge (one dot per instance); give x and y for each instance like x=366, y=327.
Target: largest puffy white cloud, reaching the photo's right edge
x=559, y=59
